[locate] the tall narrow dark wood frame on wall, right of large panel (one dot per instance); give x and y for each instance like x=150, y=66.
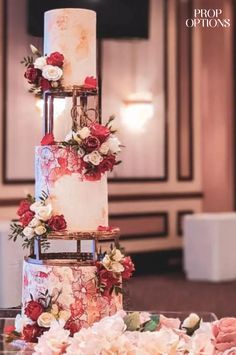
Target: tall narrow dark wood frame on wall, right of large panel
x=179, y=99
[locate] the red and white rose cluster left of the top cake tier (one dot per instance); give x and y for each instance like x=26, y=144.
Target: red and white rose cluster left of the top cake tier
x=45, y=72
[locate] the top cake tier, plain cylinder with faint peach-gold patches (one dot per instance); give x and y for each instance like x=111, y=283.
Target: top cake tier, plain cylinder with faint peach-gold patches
x=72, y=32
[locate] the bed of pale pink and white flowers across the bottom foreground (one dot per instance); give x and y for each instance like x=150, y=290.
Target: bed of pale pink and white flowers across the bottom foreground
x=142, y=333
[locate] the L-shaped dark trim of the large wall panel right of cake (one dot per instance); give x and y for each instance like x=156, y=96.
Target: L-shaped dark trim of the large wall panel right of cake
x=165, y=177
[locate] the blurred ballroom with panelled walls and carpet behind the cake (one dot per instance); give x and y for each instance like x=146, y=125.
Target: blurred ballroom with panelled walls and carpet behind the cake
x=172, y=89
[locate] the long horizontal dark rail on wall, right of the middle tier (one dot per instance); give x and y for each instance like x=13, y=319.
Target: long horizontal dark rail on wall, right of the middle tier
x=154, y=197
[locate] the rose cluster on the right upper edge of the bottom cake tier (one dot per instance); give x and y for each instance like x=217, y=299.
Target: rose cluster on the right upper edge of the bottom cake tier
x=113, y=267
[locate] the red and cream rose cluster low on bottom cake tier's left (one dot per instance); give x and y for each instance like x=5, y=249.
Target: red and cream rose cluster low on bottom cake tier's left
x=38, y=316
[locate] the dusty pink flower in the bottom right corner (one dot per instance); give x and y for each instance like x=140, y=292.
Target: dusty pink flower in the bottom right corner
x=224, y=331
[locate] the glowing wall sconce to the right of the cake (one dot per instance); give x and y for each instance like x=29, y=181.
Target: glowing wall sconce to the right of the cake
x=136, y=112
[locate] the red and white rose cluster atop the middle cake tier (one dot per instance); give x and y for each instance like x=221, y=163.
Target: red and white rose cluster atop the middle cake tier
x=96, y=146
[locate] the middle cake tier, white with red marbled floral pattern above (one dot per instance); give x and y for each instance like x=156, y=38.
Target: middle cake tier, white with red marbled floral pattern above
x=84, y=204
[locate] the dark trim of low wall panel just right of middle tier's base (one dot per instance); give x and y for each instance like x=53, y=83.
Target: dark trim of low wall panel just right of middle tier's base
x=156, y=234
